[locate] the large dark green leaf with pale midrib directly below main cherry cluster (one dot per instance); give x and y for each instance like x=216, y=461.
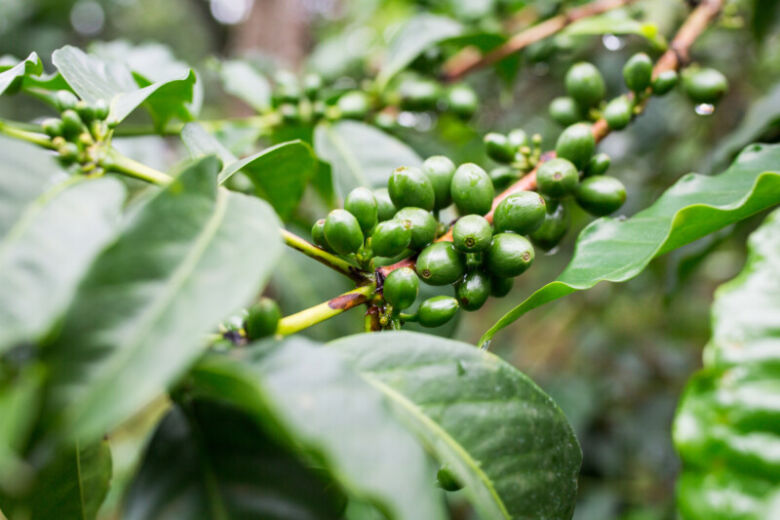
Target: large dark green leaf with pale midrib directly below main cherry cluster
x=505, y=439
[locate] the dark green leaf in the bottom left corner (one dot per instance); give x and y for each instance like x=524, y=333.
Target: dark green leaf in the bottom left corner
x=70, y=486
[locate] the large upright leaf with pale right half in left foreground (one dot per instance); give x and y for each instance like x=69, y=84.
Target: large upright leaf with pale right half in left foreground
x=190, y=257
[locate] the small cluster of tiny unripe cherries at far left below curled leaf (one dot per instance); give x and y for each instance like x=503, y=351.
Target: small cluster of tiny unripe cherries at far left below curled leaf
x=78, y=129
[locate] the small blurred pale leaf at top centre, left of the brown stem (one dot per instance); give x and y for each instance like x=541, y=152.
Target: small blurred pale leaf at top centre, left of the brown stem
x=416, y=35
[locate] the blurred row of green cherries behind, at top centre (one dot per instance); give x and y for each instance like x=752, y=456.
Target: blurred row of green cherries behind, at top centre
x=308, y=100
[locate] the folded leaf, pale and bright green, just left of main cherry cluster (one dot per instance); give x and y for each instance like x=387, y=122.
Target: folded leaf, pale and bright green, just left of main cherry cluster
x=279, y=173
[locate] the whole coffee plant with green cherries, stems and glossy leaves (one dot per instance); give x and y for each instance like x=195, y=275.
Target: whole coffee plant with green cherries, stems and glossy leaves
x=133, y=298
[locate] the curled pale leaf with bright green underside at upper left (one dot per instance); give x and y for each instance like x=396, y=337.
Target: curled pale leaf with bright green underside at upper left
x=93, y=78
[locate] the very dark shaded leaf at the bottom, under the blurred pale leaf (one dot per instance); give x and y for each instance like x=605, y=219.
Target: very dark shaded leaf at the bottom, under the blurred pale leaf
x=212, y=461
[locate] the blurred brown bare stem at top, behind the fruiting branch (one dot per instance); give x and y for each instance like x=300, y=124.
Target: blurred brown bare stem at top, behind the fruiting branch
x=465, y=62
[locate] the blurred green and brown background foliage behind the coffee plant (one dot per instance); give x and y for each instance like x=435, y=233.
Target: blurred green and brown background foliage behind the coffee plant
x=615, y=357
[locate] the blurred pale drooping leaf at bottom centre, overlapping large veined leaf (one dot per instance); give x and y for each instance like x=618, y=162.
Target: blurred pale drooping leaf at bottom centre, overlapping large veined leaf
x=322, y=405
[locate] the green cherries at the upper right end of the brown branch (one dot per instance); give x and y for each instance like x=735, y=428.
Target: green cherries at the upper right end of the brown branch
x=586, y=90
